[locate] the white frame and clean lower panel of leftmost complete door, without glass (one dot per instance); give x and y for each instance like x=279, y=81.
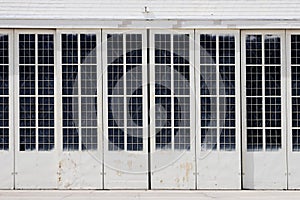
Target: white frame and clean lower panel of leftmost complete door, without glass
x=34, y=169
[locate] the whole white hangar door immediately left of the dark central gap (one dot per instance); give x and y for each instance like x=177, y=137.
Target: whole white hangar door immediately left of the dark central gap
x=125, y=110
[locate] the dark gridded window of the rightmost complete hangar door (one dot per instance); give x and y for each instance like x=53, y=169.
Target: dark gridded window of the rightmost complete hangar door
x=263, y=92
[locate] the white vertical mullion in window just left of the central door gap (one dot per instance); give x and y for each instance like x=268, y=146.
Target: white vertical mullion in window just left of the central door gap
x=125, y=91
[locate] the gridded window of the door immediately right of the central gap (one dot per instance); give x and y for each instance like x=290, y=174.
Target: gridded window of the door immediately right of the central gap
x=172, y=91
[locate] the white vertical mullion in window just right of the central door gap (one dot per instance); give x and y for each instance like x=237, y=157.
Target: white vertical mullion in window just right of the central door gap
x=172, y=92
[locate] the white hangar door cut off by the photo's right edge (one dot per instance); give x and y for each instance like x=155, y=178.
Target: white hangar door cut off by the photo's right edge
x=293, y=95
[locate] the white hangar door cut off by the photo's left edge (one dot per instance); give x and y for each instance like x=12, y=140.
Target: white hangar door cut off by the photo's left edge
x=6, y=105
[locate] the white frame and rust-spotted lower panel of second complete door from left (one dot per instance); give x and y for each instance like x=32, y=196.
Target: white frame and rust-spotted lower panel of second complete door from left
x=80, y=169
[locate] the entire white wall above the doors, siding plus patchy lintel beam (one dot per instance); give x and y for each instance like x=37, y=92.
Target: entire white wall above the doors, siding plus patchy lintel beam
x=97, y=13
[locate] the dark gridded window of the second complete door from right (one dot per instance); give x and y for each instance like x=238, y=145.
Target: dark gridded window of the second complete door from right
x=217, y=92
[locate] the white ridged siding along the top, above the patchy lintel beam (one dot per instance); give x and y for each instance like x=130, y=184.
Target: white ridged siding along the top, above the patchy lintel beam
x=170, y=9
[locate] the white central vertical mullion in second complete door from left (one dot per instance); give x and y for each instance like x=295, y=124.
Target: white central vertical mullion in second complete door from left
x=79, y=91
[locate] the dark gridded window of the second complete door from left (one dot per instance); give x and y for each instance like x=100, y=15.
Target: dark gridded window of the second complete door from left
x=79, y=90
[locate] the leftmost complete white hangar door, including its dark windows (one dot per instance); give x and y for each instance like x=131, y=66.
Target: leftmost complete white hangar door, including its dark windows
x=36, y=144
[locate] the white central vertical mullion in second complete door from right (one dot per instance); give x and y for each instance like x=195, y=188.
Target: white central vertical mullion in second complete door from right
x=217, y=92
